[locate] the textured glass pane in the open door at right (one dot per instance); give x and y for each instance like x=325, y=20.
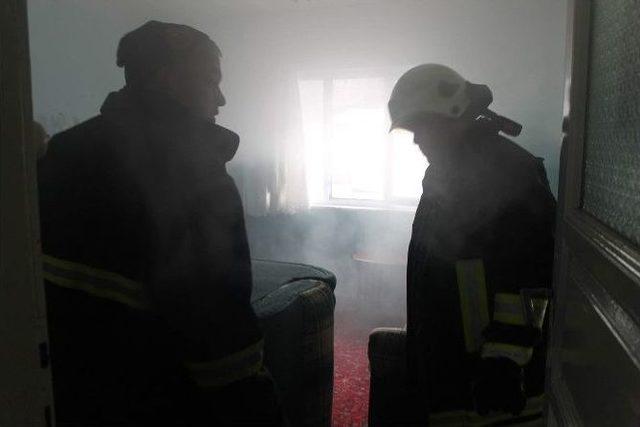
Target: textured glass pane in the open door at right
x=612, y=151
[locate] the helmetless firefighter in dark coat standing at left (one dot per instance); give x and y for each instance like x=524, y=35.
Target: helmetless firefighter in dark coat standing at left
x=146, y=260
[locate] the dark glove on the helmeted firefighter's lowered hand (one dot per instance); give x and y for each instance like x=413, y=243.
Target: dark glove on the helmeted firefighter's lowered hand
x=499, y=386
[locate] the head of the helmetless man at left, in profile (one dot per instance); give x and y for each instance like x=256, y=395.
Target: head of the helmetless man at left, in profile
x=176, y=60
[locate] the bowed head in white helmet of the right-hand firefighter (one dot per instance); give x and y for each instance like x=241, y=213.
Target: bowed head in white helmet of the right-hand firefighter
x=436, y=104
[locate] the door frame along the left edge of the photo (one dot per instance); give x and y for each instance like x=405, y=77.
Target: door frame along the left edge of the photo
x=26, y=397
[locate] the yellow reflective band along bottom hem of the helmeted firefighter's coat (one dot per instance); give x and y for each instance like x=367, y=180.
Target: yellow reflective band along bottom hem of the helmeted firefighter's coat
x=534, y=406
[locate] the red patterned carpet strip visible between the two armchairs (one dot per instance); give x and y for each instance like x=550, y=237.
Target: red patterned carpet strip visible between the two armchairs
x=351, y=379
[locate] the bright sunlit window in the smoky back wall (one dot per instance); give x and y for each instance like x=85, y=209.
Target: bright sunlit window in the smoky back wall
x=351, y=158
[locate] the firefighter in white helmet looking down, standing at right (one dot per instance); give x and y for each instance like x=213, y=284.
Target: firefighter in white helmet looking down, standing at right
x=480, y=256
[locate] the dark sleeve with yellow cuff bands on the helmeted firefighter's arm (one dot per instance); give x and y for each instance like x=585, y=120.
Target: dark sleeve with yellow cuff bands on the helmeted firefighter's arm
x=520, y=266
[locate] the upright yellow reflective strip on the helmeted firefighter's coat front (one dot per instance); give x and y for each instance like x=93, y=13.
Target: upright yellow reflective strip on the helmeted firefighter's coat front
x=473, y=301
